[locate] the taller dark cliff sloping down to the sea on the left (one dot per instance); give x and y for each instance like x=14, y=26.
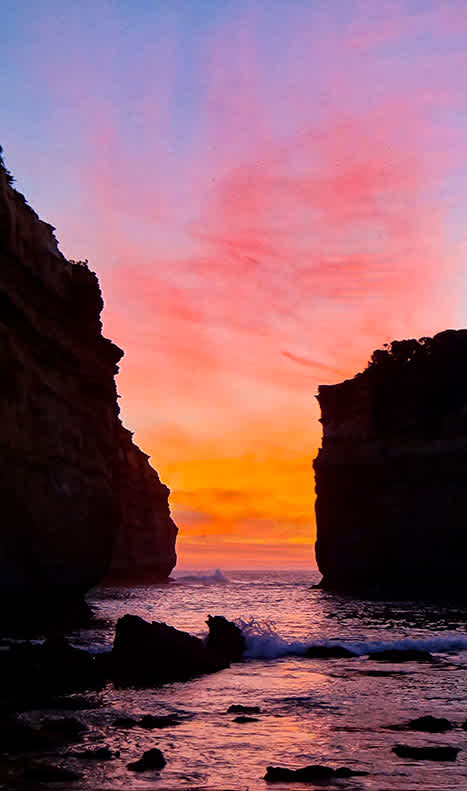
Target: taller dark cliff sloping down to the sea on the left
x=61, y=441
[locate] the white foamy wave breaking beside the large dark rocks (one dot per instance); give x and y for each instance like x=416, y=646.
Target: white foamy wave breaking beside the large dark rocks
x=263, y=642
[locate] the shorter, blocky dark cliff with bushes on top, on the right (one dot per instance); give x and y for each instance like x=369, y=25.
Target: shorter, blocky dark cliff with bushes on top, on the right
x=391, y=504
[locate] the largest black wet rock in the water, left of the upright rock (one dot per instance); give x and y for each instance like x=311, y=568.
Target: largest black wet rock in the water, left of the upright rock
x=154, y=652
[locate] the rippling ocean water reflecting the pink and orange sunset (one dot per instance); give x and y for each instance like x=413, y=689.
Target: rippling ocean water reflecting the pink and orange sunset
x=336, y=712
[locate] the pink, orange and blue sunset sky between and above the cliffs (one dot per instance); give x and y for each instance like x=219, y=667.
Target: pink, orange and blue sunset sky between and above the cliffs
x=268, y=191
